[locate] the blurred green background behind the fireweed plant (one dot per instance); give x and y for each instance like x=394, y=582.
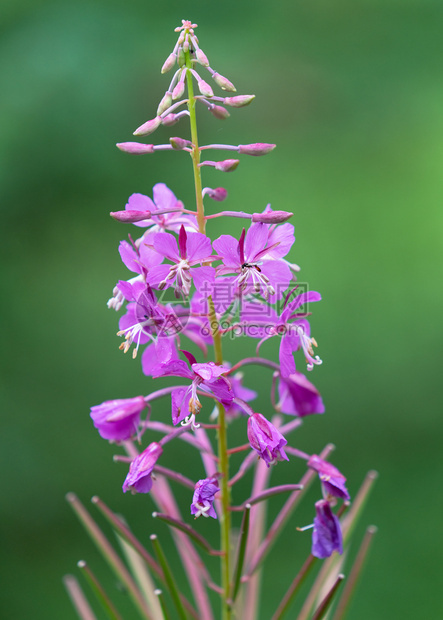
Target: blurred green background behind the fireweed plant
x=352, y=94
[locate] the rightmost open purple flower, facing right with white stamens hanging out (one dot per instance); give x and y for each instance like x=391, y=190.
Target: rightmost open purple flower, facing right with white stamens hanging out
x=293, y=330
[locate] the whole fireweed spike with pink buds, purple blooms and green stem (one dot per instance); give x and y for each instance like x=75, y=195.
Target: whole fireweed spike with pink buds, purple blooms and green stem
x=183, y=290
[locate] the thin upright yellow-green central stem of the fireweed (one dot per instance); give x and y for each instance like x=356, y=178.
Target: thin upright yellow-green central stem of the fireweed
x=225, y=517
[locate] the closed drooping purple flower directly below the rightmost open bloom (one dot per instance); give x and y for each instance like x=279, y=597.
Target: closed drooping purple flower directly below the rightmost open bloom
x=298, y=396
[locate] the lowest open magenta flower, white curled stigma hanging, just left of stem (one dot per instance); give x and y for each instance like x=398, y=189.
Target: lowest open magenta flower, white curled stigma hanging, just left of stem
x=205, y=376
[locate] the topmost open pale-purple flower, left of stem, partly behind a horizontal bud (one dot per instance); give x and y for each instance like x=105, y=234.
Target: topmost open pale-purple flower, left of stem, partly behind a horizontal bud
x=164, y=199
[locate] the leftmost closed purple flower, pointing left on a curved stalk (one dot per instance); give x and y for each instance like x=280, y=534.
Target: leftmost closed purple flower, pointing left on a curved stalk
x=117, y=420
